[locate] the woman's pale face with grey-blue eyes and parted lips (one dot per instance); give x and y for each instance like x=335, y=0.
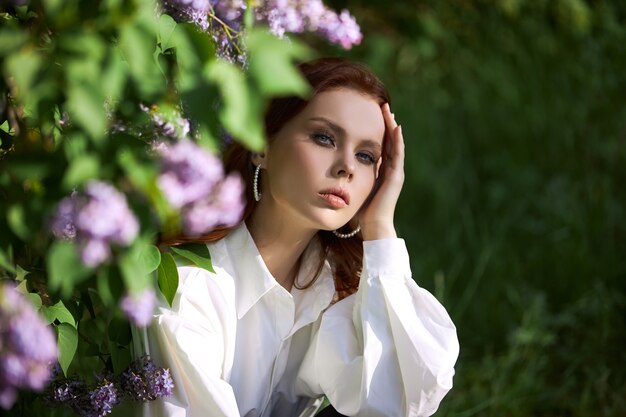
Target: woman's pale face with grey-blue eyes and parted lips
x=321, y=166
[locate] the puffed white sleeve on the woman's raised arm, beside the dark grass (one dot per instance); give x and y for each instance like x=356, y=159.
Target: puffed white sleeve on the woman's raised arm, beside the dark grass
x=387, y=350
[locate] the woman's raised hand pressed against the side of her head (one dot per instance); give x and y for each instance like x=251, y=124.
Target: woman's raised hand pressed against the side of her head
x=376, y=219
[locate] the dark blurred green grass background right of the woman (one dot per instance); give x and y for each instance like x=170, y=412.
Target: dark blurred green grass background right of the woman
x=514, y=207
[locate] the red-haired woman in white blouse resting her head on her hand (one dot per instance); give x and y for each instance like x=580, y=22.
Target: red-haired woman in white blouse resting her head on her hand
x=312, y=294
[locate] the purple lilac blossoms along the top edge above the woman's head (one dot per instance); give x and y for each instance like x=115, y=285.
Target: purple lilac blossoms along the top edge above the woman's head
x=222, y=19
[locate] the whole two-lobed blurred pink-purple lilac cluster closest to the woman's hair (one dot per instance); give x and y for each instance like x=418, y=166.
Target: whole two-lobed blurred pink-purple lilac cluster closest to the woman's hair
x=193, y=181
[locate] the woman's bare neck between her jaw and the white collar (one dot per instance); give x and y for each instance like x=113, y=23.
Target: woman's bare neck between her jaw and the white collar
x=280, y=243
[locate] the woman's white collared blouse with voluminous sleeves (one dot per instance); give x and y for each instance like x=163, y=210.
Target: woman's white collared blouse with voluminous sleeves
x=238, y=344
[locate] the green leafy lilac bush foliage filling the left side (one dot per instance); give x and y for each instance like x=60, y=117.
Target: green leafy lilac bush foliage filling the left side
x=85, y=89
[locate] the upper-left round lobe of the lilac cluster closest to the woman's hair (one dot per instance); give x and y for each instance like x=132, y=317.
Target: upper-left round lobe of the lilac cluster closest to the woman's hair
x=188, y=173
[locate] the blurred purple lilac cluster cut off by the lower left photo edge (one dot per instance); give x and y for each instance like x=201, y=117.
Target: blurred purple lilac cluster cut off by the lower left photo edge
x=27, y=346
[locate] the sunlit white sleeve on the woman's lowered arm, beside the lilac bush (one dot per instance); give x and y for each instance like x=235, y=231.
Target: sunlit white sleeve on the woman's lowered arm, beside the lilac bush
x=192, y=339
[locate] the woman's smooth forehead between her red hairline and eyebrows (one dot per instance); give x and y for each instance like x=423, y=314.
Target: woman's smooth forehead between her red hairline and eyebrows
x=358, y=114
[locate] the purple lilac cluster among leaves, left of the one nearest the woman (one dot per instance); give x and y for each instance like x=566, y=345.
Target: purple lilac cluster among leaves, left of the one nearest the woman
x=97, y=218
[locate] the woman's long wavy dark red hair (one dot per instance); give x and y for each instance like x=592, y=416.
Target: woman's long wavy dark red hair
x=323, y=74
